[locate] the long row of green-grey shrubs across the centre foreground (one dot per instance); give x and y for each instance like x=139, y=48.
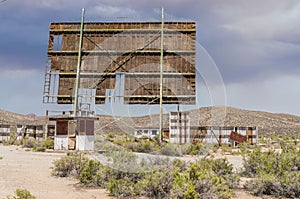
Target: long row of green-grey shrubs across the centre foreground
x=125, y=178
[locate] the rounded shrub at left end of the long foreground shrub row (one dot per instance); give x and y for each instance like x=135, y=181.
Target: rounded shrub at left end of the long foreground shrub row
x=69, y=165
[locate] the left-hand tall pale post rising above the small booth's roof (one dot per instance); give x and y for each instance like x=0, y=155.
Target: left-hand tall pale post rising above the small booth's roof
x=77, y=83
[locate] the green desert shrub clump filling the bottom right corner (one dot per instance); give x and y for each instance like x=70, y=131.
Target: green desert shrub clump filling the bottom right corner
x=275, y=173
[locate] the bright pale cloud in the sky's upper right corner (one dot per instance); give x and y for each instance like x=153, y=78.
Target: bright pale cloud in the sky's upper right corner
x=276, y=21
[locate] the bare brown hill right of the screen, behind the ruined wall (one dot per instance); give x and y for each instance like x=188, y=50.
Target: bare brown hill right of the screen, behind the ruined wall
x=266, y=122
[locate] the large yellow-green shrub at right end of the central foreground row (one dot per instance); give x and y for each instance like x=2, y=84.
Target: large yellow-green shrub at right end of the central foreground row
x=181, y=180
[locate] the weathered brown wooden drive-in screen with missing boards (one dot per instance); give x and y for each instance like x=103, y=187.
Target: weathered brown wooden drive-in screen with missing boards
x=129, y=48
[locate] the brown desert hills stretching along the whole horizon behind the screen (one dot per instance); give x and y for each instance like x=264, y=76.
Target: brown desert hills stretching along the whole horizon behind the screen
x=207, y=116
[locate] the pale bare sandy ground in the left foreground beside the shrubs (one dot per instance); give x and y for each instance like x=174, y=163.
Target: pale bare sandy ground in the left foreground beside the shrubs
x=21, y=169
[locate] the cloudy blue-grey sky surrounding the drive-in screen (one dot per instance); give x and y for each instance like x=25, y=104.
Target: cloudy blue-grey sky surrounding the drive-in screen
x=254, y=45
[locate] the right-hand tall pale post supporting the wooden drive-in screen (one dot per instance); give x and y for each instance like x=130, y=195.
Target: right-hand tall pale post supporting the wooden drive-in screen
x=161, y=77
